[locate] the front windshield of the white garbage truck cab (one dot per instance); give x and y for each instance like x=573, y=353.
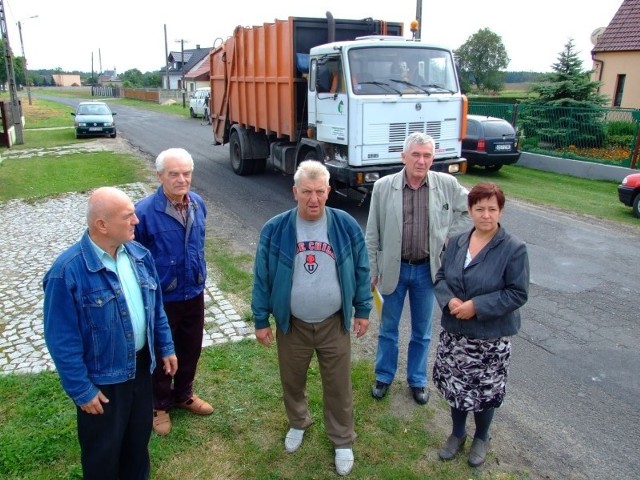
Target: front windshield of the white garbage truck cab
x=386, y=70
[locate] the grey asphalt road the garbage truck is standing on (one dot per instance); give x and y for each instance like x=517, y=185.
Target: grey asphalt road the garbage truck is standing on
x=573, y=404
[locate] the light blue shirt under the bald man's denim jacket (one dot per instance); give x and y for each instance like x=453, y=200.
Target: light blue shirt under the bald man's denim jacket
x=123, y=268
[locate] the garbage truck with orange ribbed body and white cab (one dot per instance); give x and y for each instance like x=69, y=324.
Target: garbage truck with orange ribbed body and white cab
x=344, y=92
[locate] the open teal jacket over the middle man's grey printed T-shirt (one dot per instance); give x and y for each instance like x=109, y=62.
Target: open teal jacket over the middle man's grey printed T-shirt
x=273, y=268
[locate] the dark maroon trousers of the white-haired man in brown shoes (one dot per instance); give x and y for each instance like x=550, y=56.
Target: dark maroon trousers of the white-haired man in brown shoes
x=186, y=320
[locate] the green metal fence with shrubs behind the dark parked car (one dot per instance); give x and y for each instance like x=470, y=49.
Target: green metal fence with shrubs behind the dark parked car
x=600, y=135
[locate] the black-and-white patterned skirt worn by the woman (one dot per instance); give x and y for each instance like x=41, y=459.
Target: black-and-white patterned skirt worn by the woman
x=471, y=373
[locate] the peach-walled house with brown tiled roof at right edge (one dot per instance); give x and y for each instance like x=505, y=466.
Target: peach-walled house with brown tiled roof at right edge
x=616, y=56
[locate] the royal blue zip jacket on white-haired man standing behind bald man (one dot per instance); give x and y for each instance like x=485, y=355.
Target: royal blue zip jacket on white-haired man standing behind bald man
x=178, y=251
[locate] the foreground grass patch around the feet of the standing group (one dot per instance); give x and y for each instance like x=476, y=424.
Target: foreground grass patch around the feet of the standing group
x=242, y=439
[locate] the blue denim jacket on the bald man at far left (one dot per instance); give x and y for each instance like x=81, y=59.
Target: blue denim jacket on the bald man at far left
x=86, y=319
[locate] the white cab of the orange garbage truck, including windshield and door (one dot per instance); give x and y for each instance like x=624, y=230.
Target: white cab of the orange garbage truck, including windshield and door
x=367, y=95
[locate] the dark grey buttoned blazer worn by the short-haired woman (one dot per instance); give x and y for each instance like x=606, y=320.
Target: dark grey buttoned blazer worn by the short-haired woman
x=497, y=280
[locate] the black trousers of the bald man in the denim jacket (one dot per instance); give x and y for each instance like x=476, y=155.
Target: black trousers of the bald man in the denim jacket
x=114, y=445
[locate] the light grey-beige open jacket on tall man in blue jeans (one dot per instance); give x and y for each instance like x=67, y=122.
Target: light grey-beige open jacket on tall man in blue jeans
x=447, y=217
